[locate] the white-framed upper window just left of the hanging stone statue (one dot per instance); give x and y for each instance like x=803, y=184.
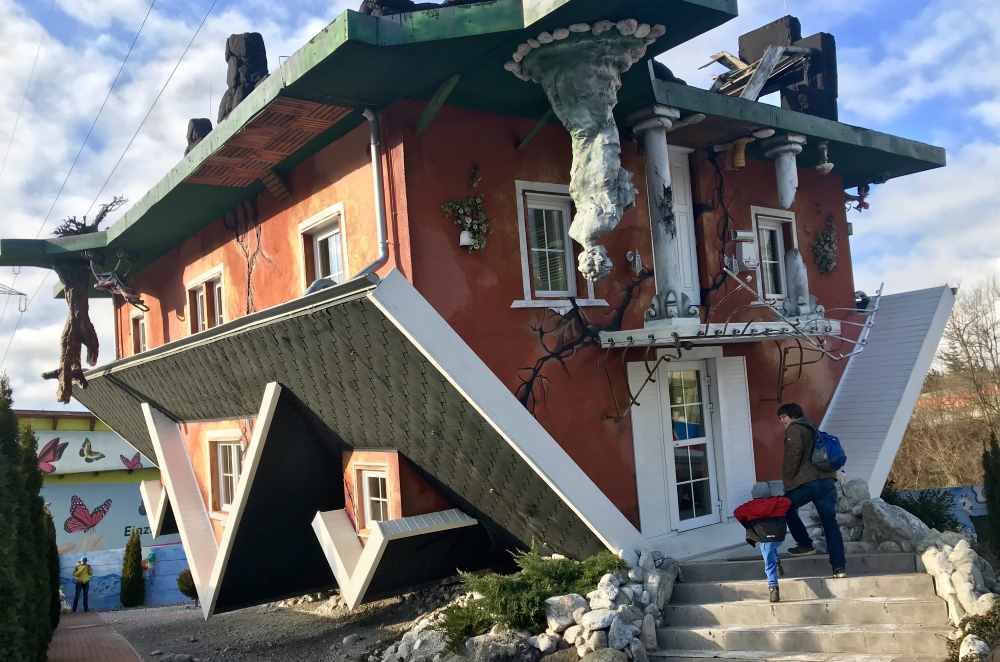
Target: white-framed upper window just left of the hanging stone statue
x=547, y=196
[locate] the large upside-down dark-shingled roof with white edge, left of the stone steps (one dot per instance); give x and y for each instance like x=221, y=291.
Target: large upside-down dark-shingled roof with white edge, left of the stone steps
x=367, y=364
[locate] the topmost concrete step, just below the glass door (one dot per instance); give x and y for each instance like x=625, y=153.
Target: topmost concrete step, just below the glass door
x=816, y=565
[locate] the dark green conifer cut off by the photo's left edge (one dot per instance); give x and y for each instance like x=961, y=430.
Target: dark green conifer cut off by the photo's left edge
x=13, y=639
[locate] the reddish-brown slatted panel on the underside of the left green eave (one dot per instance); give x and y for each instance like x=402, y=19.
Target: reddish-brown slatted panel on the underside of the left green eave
x=277, y=132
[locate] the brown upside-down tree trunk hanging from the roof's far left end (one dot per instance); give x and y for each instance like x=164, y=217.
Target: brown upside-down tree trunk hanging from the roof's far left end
x=78, y=332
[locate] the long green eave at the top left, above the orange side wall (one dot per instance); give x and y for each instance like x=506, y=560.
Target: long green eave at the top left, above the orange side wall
x=366, y=61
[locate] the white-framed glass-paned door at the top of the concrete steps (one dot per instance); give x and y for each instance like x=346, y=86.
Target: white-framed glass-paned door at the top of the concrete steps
x=689, y=445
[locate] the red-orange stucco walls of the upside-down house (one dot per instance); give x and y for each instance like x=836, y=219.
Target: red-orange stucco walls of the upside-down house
x=579, y=405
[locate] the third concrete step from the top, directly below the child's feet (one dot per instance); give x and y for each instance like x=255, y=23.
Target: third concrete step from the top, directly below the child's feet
x=863, y=611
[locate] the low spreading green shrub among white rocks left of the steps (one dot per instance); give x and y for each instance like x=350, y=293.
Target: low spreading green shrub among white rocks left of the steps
x=518, y=600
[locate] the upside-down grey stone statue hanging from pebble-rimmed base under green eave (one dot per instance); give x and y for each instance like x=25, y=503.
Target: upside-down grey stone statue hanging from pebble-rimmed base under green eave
x=580, y=69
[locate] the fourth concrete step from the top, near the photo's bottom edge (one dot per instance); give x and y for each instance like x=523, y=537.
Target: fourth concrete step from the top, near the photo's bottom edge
x=884, y=639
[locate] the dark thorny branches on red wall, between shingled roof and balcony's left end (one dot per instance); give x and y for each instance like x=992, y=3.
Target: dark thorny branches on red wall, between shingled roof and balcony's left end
x=562, y=335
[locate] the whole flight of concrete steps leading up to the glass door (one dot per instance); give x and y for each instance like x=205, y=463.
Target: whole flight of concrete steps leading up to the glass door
x=884, y=612
